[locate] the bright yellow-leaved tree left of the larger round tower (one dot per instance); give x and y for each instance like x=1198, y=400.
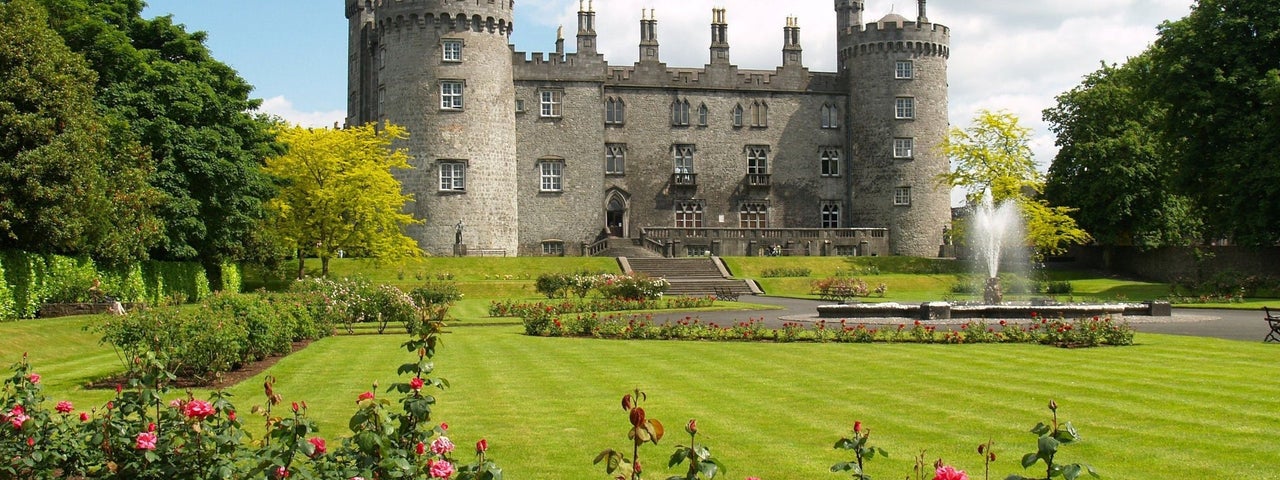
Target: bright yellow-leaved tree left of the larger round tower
x=341, y=194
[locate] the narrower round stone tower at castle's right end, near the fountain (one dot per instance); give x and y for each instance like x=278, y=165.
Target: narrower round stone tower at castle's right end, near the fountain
x=897, y=76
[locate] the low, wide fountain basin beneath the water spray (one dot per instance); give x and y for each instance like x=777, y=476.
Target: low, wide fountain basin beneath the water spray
x=945, y=310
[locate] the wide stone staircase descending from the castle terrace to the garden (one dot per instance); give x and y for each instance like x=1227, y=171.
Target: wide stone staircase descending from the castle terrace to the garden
x=691, y=277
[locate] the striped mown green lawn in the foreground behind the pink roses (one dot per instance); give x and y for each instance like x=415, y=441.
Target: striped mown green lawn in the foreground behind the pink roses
x=1204, y=409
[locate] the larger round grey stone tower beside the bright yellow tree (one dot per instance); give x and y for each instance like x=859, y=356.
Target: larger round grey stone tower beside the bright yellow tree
x=444, y=70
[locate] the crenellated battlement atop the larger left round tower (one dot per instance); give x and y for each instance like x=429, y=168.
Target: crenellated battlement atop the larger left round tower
x=484, y=16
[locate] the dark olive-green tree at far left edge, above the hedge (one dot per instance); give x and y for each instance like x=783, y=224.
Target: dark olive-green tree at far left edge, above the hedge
x=63, y=189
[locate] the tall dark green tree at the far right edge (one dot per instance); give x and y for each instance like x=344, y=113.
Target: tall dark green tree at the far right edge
x=1219, y=72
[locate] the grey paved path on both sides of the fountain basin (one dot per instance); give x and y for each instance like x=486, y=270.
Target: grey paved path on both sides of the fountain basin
x=1228, y=324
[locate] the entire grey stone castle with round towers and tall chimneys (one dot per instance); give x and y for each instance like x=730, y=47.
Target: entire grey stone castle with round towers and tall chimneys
x=547, y=154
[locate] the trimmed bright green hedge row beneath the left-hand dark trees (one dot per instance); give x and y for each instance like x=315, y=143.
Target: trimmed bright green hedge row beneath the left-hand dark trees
x=29, y=281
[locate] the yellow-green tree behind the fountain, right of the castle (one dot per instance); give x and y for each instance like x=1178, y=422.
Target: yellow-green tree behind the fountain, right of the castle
x=994, y=156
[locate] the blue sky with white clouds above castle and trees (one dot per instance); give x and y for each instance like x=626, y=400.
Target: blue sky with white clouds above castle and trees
x=1014, y=56
